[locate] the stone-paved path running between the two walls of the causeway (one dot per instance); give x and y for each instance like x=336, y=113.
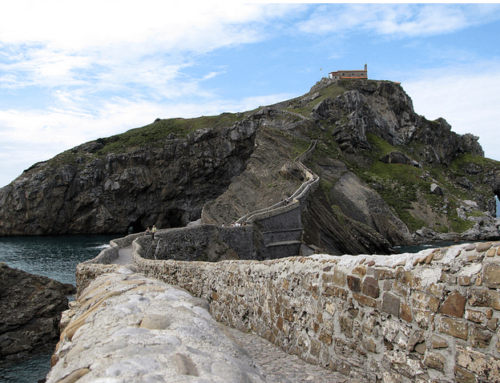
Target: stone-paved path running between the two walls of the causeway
x=275, y=364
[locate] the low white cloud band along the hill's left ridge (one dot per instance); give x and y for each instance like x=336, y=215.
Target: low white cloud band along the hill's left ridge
x=31, y=136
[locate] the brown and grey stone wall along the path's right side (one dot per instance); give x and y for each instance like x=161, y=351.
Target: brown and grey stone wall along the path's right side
x=430, y=316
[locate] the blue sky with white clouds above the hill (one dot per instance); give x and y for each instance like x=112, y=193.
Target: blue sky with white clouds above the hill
x=73, y=71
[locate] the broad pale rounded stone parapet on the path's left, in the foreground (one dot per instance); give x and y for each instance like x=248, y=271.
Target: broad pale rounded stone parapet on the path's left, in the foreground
x=125, y=327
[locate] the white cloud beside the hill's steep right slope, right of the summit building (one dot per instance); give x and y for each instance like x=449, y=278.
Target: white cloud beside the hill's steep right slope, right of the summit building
x=466, y=96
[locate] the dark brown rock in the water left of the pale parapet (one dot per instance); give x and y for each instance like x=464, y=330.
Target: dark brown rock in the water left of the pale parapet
x=30, y=310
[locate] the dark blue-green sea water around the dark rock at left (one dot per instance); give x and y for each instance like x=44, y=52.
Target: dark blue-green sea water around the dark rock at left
x=54, y=257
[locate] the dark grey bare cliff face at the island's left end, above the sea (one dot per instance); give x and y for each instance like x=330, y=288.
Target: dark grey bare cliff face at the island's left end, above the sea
x=165, y=185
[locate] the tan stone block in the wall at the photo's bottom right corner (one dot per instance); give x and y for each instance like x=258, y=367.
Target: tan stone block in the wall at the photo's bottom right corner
x=484, y=366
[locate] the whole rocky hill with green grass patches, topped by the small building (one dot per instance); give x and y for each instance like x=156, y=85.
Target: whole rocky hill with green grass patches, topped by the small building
x=388, y=175
